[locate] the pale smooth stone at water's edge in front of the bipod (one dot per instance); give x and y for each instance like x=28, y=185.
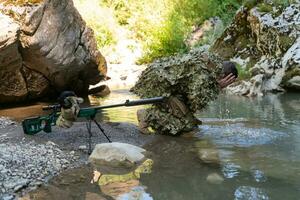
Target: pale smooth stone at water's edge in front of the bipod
x=116, y=156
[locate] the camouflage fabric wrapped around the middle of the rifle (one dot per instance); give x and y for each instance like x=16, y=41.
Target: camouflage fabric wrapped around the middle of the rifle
x=69, y=115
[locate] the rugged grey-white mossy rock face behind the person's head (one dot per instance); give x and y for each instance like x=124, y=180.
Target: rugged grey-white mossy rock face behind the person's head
x=265, y=42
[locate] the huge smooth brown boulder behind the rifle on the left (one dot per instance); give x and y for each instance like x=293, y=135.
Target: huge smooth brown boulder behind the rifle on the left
x=45, y=46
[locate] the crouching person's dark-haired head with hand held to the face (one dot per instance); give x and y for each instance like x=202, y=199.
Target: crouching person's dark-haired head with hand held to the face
x=228, y=75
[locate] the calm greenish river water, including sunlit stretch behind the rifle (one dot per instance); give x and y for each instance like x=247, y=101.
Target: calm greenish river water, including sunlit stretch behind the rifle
x=256, y=145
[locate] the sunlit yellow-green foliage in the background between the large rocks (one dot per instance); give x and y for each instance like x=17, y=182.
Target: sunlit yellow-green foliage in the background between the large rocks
x=161, y=26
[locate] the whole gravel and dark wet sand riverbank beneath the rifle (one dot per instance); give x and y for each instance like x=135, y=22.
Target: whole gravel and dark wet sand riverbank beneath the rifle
x=26, y=162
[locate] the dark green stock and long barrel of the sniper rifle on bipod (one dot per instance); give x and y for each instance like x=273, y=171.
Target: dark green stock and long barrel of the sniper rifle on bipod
x=34, y=125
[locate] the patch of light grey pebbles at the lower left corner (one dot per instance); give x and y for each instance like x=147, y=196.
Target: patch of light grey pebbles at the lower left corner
x=22, y=166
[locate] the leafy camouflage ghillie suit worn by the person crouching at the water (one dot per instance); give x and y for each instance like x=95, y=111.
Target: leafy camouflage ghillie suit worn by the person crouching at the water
x=190, y=82
